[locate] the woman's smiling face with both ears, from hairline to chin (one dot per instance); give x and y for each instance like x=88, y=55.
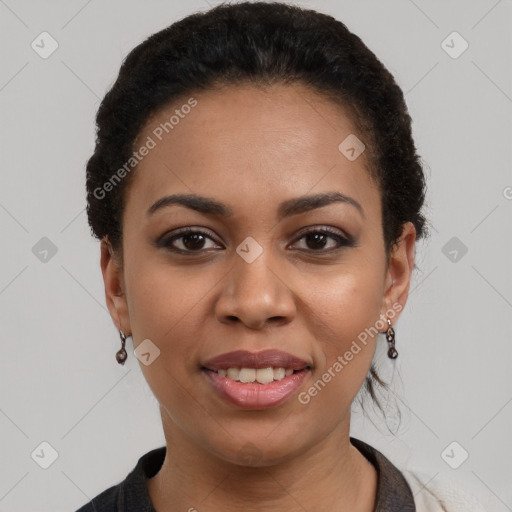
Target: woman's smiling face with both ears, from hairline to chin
x=259, y=274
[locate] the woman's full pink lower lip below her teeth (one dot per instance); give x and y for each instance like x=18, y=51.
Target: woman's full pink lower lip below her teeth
x=255, y=395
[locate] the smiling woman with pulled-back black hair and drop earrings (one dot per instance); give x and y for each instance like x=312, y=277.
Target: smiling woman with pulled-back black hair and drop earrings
x=258, y=195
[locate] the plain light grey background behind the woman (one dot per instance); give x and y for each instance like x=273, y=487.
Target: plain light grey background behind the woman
x=59, y=381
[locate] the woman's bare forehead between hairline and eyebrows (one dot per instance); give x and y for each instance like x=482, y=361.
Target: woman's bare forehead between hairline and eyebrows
x=249, y=145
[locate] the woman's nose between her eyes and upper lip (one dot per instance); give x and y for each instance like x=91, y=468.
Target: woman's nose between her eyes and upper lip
x=256, y=294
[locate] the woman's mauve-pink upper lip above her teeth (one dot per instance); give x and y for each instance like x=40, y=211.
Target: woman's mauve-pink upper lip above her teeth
x=262, y=359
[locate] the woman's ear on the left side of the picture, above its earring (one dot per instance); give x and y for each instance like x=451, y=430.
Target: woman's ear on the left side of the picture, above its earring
x=114, y=287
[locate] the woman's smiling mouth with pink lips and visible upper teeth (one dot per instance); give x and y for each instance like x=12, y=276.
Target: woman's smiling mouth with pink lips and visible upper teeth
x=256, y=380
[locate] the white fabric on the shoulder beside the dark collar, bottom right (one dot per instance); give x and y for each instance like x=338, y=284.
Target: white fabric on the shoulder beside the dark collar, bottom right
x=440, y=495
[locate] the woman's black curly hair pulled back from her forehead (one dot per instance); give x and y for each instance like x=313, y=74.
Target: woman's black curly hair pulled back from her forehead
x=260, y=43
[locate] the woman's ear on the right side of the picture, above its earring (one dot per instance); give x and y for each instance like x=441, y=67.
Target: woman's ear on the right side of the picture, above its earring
x=399, y=272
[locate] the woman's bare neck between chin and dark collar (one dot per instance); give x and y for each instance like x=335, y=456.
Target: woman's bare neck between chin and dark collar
x=331, y=476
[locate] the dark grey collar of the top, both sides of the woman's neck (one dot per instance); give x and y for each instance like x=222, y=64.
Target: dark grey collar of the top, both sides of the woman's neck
x=131, y=495
